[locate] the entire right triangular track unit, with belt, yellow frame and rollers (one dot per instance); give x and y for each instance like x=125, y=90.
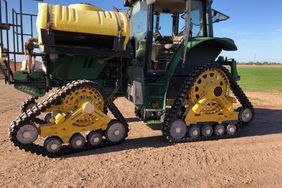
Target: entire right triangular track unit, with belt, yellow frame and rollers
x=209, y=112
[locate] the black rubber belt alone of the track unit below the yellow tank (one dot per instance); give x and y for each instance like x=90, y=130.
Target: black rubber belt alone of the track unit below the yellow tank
x=31, y=114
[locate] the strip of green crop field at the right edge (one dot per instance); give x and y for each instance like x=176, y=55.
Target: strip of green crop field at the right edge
x=261, y=78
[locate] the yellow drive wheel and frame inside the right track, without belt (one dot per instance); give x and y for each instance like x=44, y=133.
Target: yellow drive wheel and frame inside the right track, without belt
x=205, y=105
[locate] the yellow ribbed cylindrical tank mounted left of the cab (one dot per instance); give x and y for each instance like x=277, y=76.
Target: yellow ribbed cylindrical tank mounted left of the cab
x=82, y=19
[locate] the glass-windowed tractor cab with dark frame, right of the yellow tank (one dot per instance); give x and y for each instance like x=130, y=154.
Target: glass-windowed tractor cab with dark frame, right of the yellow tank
x=160, y=26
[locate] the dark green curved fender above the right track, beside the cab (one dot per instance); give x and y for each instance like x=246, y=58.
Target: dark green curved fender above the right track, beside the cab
x=200, y=50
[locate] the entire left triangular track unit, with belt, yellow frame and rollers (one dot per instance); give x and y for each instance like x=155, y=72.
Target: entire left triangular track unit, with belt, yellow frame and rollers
x=73, y=113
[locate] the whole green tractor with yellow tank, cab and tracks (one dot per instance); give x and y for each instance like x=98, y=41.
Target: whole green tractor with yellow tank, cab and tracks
x=161, y=55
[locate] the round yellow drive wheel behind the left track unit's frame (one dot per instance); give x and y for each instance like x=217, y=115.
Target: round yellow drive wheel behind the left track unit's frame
x=77, y=98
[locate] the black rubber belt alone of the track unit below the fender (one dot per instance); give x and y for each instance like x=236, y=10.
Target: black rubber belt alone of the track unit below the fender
x=185, y=90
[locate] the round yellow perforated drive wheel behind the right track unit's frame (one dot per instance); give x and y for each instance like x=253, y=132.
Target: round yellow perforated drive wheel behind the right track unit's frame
x=210, y=81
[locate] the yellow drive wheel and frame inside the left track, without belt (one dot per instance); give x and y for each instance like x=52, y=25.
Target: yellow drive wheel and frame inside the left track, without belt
x=70, y=117
